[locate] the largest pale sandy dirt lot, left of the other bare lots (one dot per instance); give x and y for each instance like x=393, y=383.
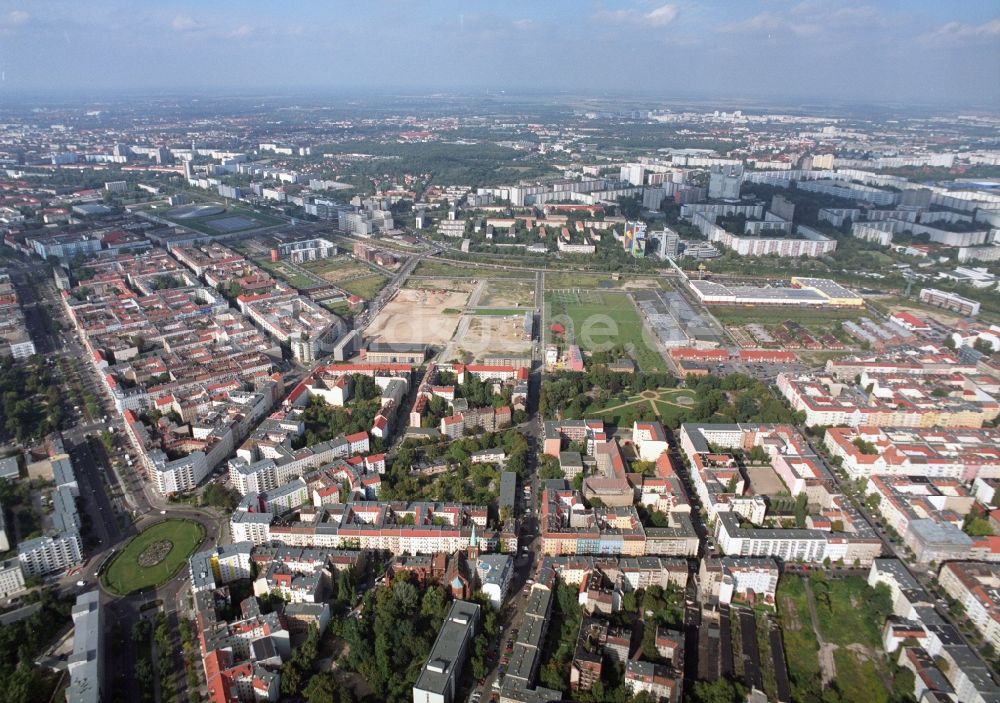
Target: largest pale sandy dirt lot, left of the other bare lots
x=423, y=315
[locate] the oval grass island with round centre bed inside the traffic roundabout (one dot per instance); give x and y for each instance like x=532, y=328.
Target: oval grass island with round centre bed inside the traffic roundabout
x=153, y=557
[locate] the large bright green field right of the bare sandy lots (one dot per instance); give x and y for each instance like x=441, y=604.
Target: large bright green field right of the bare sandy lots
x=601, y=320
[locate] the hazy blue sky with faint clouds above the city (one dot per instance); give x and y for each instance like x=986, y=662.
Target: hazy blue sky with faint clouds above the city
x=894, y=51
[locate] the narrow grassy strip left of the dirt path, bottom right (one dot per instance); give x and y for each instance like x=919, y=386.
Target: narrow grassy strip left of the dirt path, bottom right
x=801, y=646
